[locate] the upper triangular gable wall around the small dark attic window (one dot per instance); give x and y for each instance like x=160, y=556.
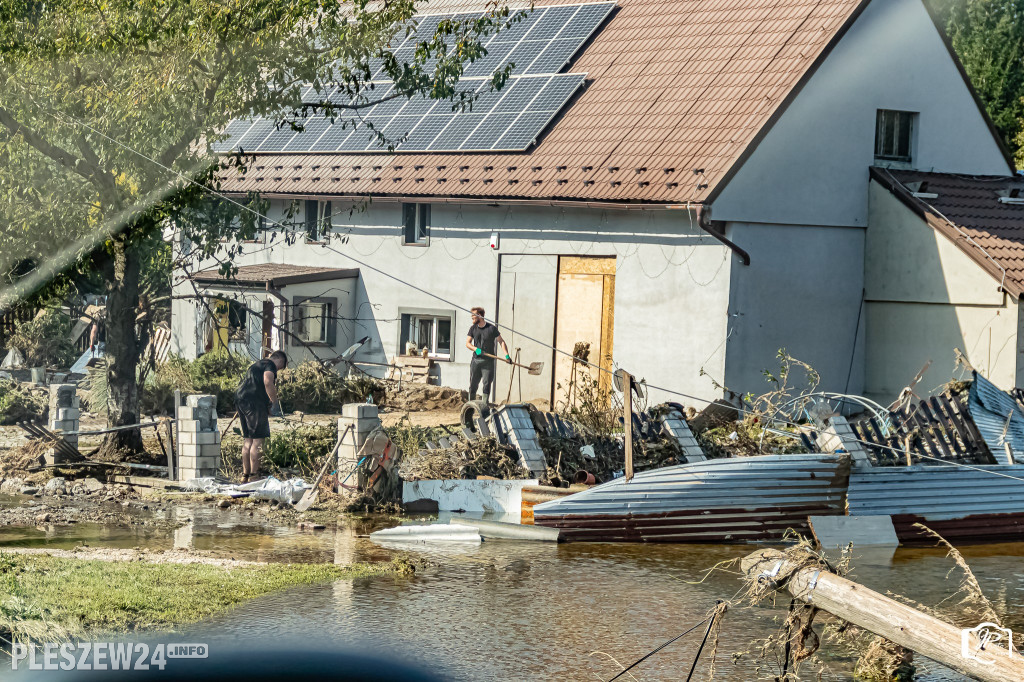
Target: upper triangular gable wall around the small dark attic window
x=812, y=167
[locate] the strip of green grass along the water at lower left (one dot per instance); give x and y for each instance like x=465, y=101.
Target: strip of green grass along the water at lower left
x=56, y=599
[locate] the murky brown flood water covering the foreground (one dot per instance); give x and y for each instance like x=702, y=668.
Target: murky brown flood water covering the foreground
x=502, y=611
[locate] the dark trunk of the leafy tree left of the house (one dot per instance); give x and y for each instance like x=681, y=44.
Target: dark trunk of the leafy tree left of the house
x=123, y=350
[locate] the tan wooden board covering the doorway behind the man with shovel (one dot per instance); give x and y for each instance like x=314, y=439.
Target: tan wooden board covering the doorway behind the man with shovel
x=585, y=312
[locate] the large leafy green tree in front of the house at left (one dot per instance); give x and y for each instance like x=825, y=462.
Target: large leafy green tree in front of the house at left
x=107, y=106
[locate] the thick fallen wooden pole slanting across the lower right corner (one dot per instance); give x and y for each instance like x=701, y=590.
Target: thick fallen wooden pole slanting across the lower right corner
x=899, y=623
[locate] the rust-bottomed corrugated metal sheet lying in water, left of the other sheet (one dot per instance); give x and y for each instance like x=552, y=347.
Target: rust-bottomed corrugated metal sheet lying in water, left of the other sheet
x=755, y=498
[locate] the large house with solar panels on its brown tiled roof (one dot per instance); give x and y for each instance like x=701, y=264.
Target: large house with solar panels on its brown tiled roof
x=689, y=195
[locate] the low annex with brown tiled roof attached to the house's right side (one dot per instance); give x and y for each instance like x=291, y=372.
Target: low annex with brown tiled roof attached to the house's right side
x=945, y=270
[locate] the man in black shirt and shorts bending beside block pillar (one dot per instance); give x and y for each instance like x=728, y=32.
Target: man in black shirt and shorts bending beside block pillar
x=257, y=400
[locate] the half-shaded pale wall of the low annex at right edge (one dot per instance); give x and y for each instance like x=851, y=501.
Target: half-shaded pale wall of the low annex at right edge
x=924, y=299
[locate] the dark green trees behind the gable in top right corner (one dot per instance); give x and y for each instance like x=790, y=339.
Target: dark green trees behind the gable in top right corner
x=989, y=38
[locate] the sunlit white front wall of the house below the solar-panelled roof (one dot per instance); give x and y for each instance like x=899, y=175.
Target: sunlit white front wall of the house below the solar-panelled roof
x=672, y=282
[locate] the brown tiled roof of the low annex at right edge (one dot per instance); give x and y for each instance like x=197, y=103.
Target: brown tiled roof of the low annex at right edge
x=969, y=212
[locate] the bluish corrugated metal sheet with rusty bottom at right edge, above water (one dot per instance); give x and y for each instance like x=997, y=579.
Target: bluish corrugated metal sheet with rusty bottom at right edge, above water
x=964, y=505
